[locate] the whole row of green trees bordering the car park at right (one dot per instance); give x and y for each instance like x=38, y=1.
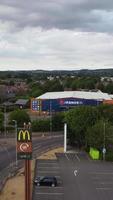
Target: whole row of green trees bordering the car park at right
x=90, y=126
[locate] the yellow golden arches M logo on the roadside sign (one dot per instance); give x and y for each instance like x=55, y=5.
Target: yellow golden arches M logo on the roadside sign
x=24, y=135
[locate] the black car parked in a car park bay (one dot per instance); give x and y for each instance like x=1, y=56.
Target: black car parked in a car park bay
x=46, y=181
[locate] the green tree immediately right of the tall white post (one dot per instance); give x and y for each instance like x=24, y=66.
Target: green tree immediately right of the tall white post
x=78, y=119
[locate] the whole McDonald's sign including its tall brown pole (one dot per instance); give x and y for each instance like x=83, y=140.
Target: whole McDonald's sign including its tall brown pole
x=24, y=151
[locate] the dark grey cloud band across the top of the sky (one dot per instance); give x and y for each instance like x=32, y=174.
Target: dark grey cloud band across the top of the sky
x=62, y=14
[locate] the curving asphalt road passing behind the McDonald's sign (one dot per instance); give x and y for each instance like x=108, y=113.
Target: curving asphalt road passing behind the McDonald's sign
x=42, y=144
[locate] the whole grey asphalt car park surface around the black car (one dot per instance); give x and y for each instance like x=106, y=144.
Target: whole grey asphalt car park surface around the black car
x=79, y=178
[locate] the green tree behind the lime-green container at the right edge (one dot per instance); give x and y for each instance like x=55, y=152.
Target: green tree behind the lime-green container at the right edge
x=100, y=136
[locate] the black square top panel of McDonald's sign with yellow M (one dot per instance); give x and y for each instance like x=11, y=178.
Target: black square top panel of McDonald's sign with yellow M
x=24, y=135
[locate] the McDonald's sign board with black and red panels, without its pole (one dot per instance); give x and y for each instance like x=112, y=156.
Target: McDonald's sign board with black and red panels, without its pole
x=24, y=144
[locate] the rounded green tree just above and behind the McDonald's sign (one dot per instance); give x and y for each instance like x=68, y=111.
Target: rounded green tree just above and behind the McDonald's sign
x=20, y=116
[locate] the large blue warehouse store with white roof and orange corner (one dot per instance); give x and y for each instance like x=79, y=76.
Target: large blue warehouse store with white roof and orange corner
x=62, y=101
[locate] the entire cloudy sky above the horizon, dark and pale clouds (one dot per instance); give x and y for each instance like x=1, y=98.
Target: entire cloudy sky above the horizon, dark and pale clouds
x=56, y=34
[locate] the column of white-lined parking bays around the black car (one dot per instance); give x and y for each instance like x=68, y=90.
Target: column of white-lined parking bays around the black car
x=48, y=168
